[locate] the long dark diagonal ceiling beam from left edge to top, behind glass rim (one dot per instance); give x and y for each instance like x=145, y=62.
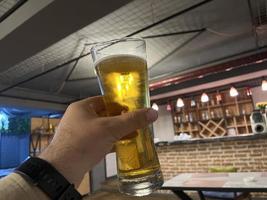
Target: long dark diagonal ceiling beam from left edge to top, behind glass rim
x=86, y=54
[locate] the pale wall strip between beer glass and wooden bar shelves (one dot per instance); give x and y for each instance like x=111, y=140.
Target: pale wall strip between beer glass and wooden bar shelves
x=163, y=127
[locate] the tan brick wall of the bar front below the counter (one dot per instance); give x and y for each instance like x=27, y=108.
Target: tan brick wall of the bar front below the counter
x=246, y=155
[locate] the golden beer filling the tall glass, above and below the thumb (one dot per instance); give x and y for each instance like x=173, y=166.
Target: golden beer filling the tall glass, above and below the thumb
x=124, y=81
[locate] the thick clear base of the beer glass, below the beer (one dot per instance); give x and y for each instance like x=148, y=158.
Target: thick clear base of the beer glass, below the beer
x=141, y=186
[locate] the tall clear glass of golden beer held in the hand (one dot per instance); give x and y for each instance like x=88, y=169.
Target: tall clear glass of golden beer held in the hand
x=121, y=69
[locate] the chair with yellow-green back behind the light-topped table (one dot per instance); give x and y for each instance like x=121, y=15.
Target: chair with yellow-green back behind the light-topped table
x=216, y=195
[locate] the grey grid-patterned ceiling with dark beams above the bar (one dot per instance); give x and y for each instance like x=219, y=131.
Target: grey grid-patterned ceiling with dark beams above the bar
x=45, y=47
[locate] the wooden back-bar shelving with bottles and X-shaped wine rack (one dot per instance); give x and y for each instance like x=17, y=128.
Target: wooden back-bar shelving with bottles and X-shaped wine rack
x=217, y=126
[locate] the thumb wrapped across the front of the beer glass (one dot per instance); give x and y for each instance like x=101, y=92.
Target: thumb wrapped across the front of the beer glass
x=122, y=125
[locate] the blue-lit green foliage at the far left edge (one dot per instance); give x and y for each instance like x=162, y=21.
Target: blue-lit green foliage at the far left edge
x=17, y=126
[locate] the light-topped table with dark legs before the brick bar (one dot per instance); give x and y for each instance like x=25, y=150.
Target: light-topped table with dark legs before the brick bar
x=223, y=182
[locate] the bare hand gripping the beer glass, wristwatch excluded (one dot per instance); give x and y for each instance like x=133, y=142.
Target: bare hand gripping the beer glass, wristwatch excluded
x=83, y=138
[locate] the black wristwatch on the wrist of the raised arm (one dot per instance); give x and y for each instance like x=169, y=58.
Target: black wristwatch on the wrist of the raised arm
x=48, y=179
